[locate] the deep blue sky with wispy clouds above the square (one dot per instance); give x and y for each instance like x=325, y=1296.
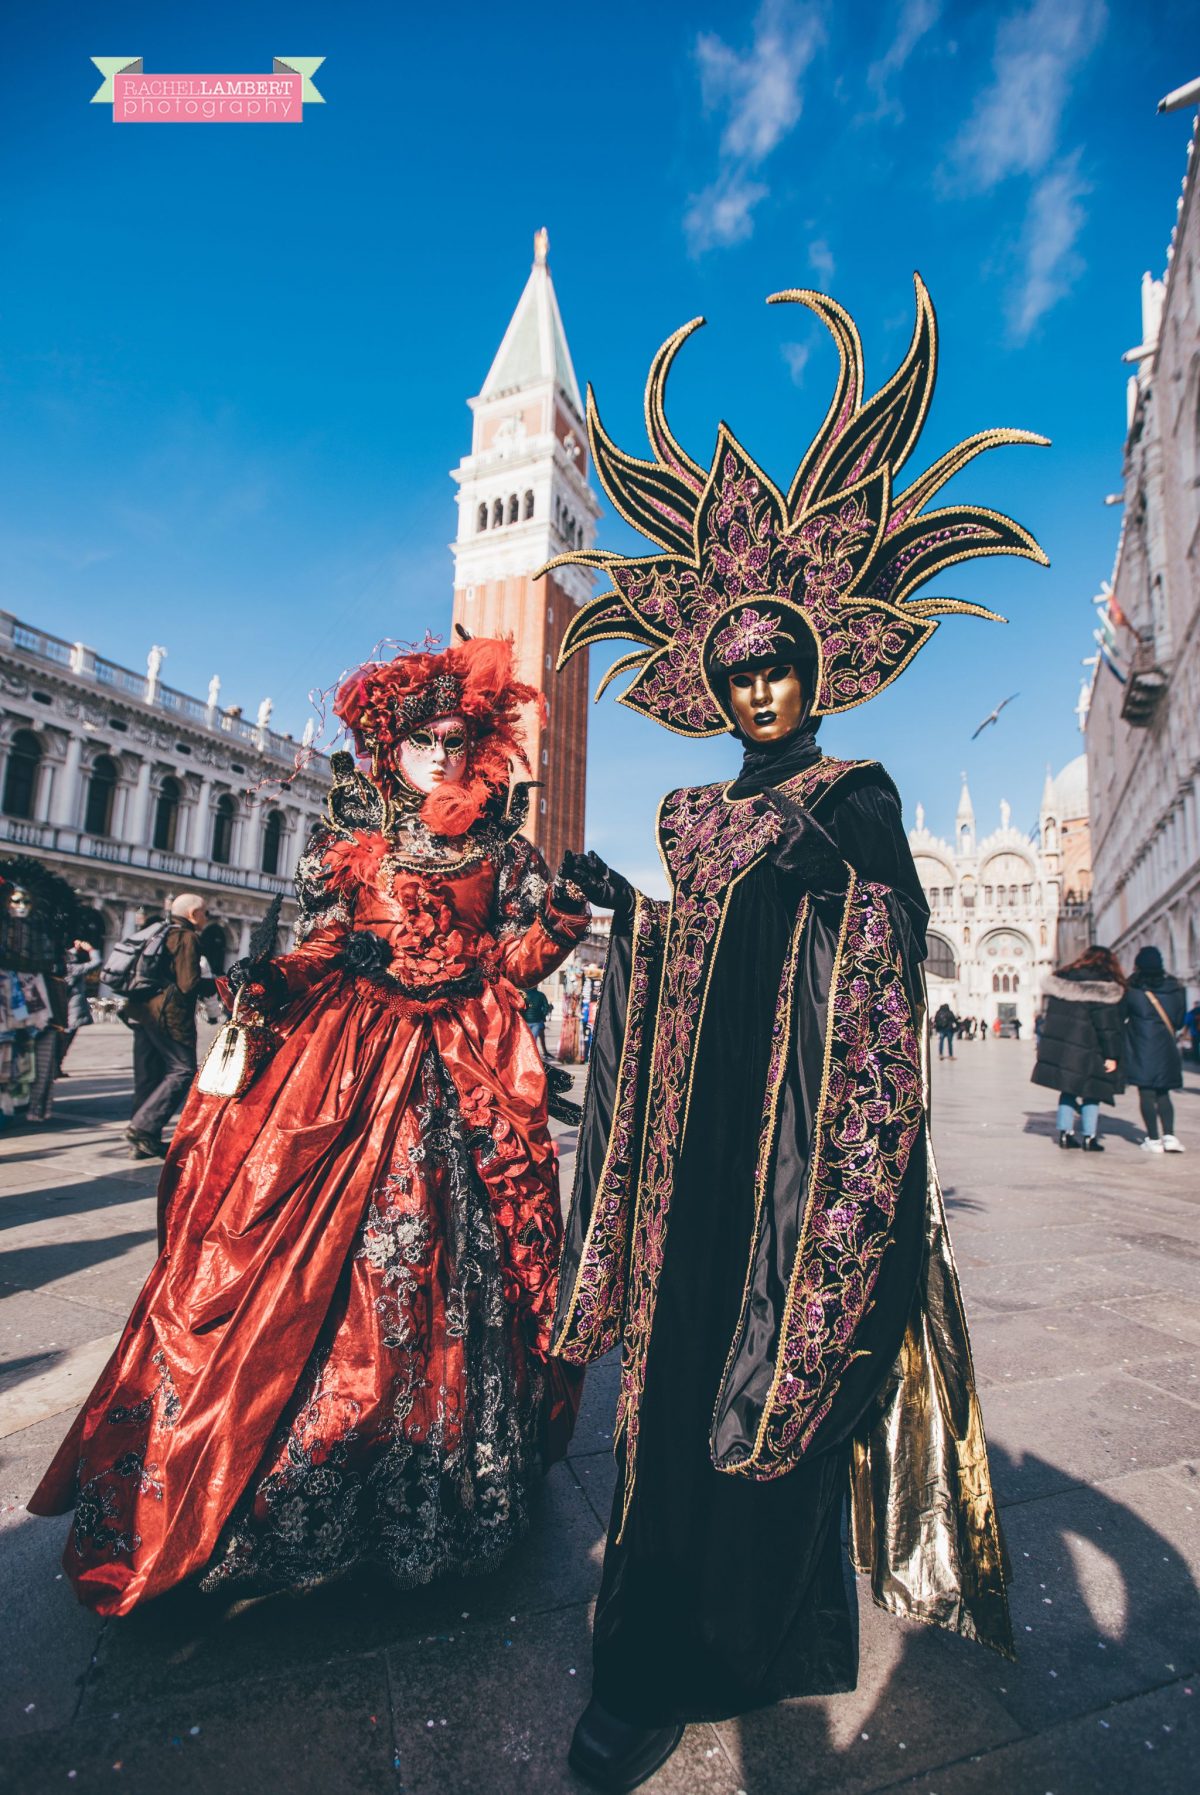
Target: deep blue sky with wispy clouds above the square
x=234, y=363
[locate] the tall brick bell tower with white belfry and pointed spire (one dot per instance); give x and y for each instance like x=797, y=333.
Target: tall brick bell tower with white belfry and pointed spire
x=523, y=500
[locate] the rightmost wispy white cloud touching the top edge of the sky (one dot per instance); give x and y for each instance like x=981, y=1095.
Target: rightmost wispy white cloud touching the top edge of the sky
x=1016, y=119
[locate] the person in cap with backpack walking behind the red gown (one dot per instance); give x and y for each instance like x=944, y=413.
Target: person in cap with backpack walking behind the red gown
x=162, y=985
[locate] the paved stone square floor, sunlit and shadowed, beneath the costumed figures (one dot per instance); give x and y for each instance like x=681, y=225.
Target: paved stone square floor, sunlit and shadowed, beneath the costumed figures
x=1083, y=1281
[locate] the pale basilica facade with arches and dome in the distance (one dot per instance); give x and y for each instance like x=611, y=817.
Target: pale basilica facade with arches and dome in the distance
x=1005, y=909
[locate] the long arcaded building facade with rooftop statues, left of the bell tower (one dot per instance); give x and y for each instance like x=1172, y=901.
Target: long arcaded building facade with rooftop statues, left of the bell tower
x=135, y=792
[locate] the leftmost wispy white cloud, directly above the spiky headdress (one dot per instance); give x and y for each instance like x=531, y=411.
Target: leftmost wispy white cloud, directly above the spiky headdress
x=761, y=94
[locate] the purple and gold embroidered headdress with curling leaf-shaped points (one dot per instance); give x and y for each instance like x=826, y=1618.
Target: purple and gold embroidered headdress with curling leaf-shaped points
x=840, y=552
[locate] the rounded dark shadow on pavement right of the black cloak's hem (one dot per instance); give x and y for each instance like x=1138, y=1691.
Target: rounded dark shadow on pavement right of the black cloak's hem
x=1106, y=1611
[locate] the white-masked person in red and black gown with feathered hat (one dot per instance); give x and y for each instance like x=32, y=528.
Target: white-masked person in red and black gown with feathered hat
x=343, y=1351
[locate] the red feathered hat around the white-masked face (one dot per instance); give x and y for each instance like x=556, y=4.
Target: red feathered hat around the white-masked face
x=387, y=701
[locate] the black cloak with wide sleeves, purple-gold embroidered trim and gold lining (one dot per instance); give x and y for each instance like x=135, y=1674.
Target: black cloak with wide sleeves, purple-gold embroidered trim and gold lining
x=760, y=1225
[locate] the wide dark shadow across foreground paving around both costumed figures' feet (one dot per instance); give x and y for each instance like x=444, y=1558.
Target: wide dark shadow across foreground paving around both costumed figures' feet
x=198, y=1694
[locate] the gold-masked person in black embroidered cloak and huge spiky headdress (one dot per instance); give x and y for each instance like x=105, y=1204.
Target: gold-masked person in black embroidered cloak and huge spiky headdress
x=758, y=1218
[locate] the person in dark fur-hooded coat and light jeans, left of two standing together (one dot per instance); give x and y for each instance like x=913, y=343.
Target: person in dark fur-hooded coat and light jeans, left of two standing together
x=1079, y=1051
